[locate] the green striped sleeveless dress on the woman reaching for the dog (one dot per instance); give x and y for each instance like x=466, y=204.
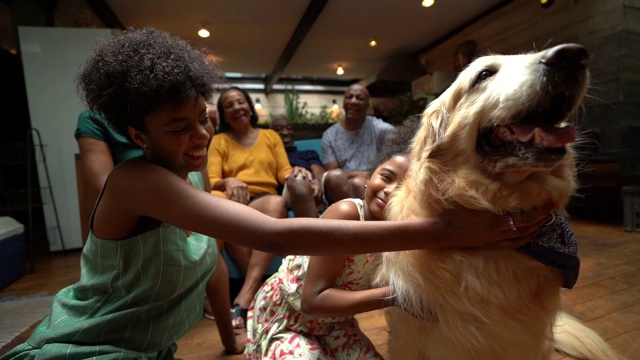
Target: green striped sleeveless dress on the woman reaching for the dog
x=135, y=298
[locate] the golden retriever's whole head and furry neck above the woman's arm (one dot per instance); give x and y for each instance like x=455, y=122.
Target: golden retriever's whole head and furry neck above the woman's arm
x=500, y=137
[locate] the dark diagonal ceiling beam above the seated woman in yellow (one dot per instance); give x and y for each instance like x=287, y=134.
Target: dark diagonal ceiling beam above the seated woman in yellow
x=306, y=22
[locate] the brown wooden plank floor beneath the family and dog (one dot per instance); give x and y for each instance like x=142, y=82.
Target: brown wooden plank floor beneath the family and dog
x=606, y=297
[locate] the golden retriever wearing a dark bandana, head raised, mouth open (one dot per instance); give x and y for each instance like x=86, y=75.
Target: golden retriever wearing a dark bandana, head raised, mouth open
x=498, y=139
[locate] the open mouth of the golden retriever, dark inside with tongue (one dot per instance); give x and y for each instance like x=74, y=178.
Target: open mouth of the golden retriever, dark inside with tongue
x=539, y=134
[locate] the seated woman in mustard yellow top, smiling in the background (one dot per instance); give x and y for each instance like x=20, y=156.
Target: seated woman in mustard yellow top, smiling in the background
x=246, y=165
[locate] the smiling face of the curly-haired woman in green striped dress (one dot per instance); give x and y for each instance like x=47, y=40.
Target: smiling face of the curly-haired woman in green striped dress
x=177, y=138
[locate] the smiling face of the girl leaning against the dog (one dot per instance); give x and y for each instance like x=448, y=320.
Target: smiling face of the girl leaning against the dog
x=384, y=180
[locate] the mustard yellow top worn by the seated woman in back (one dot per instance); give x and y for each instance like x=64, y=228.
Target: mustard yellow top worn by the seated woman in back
x=261, y=167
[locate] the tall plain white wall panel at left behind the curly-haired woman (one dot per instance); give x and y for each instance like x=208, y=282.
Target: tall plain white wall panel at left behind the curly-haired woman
x=52, y=59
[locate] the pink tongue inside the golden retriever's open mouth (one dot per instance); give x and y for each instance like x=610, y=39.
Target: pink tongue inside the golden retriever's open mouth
x=546, y=135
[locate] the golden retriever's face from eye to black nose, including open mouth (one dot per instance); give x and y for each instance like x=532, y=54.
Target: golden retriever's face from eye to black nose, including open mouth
x=521, y=106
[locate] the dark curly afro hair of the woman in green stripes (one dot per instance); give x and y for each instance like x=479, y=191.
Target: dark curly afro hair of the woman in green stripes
x=139, y=71
